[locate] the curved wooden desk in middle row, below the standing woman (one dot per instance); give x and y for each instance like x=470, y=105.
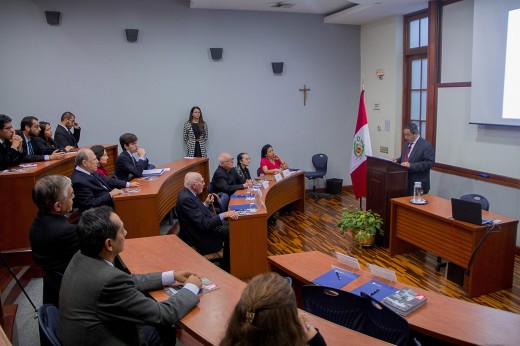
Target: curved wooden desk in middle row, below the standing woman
x=142, y=212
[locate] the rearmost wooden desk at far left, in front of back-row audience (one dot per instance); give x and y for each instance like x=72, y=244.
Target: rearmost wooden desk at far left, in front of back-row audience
x=18, y=210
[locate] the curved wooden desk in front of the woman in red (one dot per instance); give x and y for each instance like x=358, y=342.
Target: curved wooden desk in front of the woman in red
x=248, y=234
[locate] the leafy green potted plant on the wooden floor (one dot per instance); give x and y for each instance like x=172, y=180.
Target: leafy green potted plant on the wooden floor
x=364, y=225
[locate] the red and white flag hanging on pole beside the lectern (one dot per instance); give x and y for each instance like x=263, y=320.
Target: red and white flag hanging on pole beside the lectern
x=360, y=149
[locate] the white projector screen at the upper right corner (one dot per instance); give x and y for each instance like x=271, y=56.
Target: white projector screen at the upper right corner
x=495, y=84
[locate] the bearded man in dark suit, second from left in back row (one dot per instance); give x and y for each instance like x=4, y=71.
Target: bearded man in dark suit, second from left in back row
x=29, y=130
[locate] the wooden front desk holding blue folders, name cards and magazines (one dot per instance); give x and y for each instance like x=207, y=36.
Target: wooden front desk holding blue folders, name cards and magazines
x=445, y=319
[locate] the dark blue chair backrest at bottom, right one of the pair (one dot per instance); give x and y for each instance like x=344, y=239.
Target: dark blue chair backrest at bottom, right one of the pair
x=384, y=324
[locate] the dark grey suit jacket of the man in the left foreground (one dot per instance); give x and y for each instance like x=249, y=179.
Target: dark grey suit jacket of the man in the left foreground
x=102, y=305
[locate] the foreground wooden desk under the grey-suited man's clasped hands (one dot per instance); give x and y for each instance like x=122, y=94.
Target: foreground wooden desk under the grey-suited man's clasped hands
x=206, y=323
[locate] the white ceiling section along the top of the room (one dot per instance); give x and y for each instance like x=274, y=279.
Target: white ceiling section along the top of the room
x=356, y=12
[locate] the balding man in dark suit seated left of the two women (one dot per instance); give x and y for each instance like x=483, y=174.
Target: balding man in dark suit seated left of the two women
x=226, y=179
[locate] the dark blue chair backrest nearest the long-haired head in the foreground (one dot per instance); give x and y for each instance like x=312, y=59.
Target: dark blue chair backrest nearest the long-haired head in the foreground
x=343, y=308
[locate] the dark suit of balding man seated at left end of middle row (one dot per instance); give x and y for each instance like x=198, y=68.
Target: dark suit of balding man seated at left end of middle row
x=93, y=190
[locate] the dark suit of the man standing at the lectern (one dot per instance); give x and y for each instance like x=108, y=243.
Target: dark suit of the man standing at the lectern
x=421, y=160
